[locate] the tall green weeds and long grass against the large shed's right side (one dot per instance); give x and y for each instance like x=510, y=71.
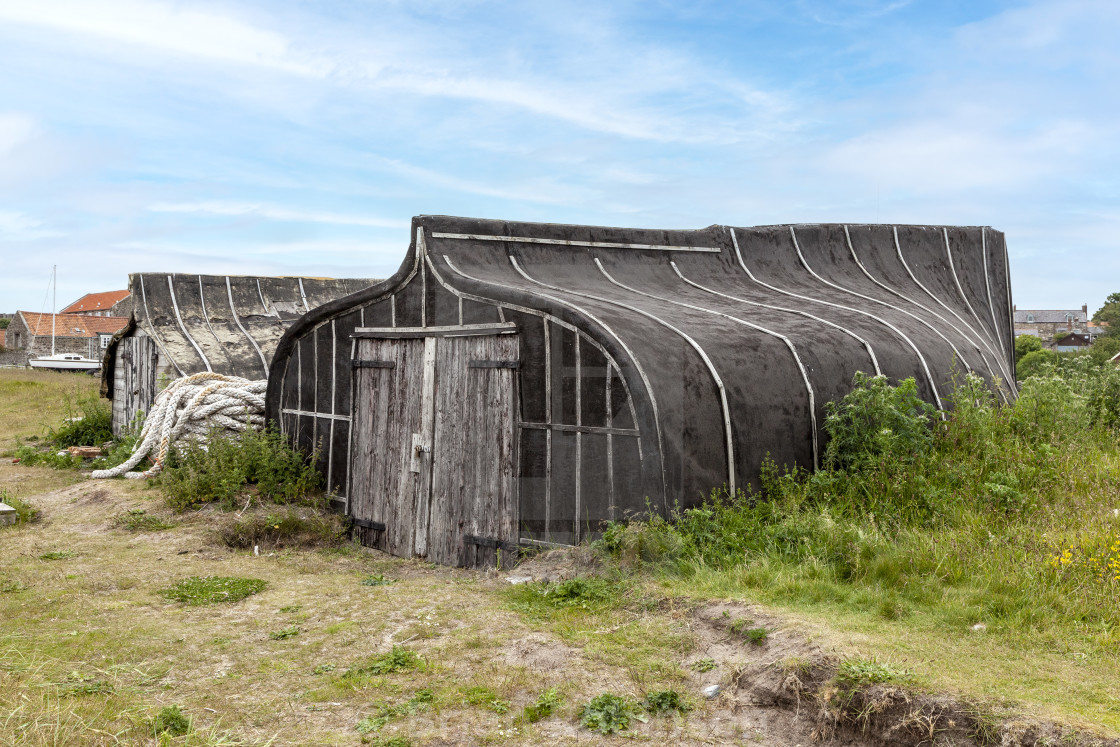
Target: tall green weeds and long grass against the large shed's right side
x=994, y=512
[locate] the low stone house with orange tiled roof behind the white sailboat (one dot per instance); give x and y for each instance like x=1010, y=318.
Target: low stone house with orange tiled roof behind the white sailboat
x=85, y=335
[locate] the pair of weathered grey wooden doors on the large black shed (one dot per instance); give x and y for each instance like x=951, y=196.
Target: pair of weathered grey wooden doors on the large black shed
x=434, y=443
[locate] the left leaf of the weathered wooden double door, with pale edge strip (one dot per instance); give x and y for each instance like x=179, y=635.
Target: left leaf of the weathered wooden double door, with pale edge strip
x=393, y=408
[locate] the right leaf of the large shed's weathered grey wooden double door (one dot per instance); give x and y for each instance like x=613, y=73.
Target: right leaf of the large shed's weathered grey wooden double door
x=474, y=510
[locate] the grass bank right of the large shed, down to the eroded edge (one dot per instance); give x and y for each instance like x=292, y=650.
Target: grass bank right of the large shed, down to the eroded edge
x=987, y=543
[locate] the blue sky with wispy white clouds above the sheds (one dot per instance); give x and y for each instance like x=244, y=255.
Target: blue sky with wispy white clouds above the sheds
x=300, y=138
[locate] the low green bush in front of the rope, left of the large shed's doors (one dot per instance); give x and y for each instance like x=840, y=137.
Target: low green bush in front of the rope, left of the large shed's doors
x=227, y=468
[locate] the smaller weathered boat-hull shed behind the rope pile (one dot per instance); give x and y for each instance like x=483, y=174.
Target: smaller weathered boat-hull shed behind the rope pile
x=188, y=324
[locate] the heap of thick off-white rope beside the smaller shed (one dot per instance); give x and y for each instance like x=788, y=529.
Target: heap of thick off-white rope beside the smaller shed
x=193, y=407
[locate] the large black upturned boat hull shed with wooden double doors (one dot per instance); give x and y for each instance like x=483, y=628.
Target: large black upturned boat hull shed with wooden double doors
x=520, y=384
